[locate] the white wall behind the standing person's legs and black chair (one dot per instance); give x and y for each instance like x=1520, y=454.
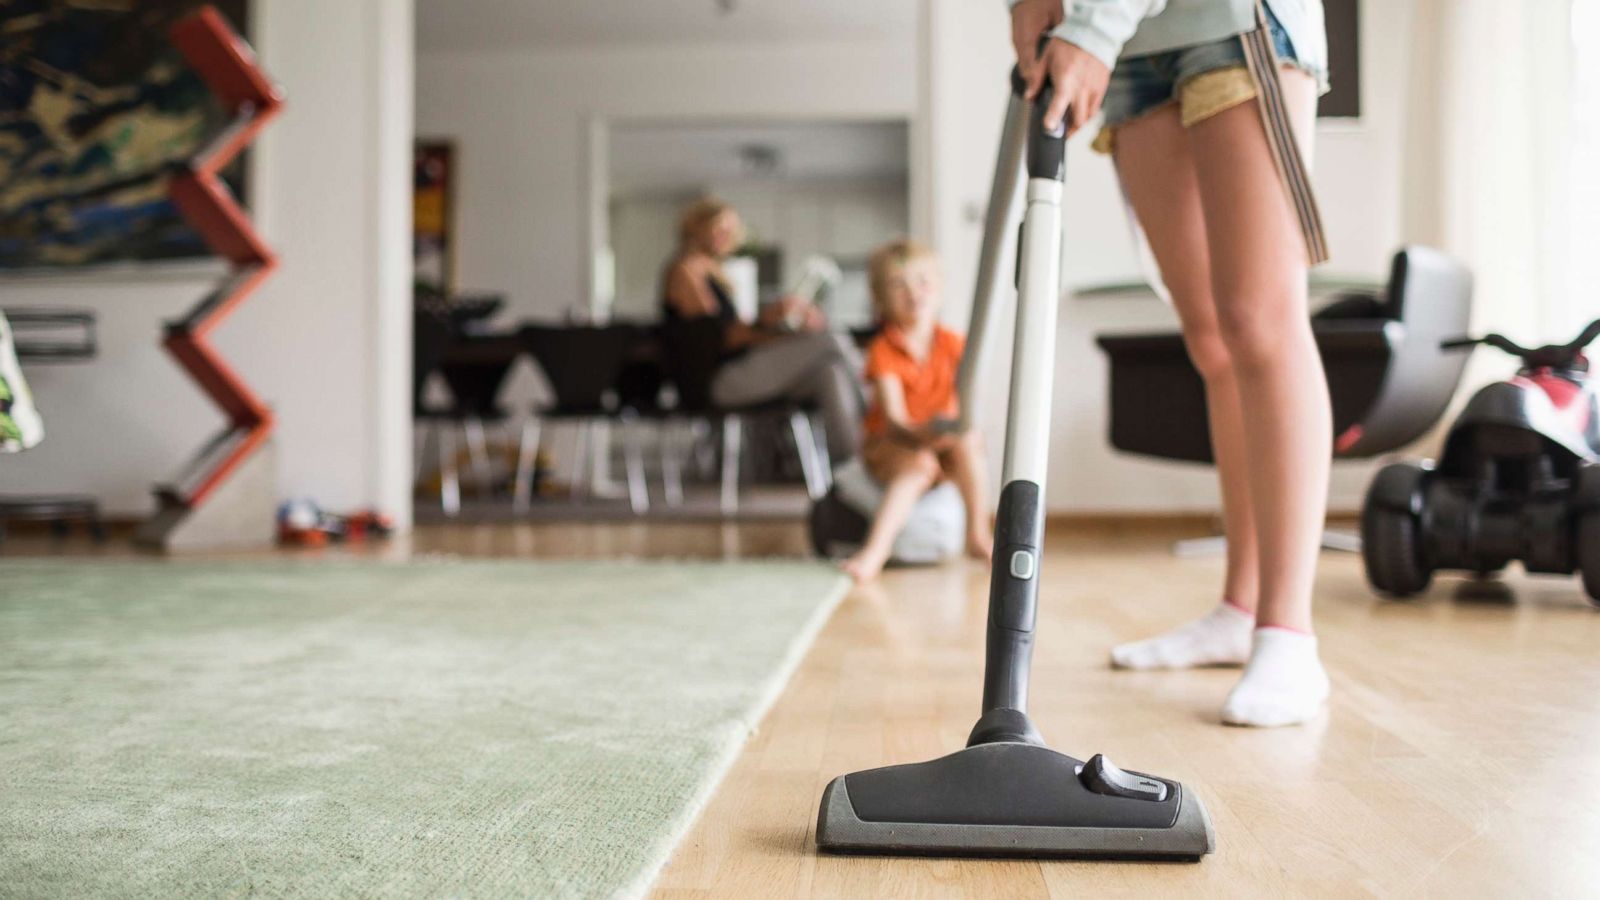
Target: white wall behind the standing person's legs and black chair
x=1359, y=180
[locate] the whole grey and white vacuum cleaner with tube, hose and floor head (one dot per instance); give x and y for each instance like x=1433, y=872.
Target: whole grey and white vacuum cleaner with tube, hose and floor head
x=1009, y=795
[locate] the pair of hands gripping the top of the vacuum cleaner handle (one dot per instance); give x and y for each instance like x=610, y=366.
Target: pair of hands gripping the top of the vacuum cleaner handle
x=1078, y=76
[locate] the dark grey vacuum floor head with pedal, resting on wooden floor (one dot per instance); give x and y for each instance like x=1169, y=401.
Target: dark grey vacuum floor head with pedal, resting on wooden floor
x=1014, y=800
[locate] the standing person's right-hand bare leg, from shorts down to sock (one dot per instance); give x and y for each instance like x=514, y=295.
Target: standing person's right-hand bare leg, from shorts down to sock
x=1258, y=283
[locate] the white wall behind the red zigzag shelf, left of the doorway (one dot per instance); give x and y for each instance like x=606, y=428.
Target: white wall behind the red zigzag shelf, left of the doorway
x=326, y=340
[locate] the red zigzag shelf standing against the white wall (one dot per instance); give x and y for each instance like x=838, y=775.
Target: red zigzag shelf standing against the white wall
x=230, y=68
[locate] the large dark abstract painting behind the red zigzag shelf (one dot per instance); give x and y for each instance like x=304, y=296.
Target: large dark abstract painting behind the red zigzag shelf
x=98, y=108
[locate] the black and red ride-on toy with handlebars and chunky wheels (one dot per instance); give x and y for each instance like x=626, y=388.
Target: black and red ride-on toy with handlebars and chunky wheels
x=1519, y=481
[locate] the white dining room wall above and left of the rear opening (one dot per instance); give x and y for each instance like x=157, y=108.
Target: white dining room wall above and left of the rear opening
x=522, y=127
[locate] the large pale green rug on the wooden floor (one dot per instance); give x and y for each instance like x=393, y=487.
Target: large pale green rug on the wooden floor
x=358, y=729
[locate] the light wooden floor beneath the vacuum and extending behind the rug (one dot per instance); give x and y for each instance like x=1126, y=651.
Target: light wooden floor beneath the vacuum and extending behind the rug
x=1460, y=757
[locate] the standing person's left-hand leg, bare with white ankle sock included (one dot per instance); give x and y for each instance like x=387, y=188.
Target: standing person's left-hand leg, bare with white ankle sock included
x=1158, y=172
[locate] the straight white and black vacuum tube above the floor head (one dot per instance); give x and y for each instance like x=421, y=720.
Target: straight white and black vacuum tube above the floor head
x=1020, y=521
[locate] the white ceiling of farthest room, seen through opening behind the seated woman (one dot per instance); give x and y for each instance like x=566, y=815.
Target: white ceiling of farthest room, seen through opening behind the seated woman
x=655, y=158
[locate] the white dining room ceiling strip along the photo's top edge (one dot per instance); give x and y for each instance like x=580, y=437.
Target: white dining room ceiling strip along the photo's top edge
x=506, y=25
